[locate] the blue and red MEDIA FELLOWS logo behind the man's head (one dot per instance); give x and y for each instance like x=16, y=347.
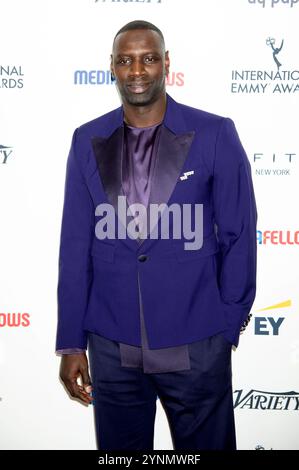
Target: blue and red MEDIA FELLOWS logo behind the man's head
x=104, y=77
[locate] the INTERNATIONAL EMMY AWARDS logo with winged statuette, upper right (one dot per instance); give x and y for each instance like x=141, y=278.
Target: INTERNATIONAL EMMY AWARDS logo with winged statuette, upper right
x=266, y=81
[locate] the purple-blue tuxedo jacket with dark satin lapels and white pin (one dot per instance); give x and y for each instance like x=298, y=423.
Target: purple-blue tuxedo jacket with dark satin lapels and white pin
x=187, y=295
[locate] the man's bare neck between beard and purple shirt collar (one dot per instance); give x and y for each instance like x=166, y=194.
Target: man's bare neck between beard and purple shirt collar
x=145, y=116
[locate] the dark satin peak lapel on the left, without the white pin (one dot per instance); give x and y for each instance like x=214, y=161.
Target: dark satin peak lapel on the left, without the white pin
x=108, y=153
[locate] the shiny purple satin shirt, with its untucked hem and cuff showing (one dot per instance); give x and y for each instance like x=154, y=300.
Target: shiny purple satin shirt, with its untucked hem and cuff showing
x=138, y=166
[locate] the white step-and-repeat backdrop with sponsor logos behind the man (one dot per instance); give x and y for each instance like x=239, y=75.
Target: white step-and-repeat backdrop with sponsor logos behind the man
x=236, y=58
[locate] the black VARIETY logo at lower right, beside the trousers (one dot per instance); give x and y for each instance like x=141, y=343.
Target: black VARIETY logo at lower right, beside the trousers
x=260, y=400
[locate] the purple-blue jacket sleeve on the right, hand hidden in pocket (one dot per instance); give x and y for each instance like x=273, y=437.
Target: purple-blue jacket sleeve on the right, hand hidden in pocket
x=235, y=218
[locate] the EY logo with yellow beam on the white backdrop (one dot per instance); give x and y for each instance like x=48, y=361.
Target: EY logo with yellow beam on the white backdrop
x=269, y=325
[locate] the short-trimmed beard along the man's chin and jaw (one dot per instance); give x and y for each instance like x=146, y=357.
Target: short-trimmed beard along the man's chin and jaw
x=149, y=96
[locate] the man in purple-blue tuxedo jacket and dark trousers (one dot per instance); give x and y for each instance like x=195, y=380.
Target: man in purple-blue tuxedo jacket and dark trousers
x=158, y=318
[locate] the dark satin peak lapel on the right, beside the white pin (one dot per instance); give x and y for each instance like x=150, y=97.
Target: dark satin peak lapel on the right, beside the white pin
x=172, y=153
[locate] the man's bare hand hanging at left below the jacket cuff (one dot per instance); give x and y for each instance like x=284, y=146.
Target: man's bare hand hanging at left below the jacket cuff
x=72, y=367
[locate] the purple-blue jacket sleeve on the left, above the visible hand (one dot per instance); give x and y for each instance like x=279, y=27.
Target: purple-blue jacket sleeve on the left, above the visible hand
x=75, y=272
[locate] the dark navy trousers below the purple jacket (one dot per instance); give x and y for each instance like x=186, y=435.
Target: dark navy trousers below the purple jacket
x=198, y=402
